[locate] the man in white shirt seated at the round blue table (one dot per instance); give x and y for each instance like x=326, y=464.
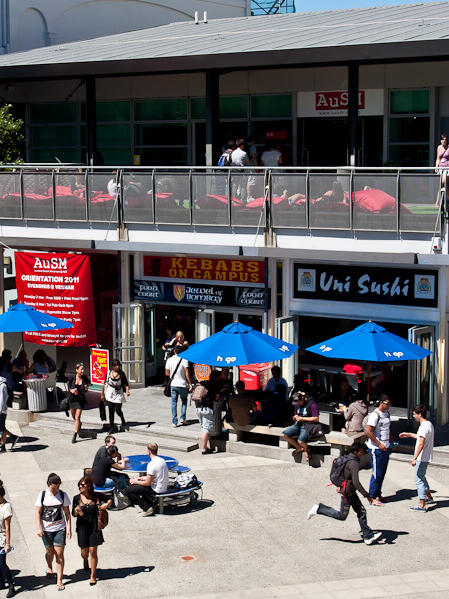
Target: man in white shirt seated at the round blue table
x=142, y=490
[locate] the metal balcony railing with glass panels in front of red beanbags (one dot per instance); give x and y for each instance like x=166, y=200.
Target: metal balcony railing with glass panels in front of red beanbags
x=402, y=200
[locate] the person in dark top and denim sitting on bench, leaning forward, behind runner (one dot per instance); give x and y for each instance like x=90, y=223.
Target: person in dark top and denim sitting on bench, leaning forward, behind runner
x=306, y=425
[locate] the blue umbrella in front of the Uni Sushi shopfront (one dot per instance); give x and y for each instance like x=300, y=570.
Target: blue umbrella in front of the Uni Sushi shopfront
x=370, y=342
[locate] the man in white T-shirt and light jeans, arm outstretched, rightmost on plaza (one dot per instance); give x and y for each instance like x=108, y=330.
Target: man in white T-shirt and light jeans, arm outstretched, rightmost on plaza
x=422, y=456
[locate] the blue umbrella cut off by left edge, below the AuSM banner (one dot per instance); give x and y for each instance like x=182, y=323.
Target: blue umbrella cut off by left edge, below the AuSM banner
x=22, y=318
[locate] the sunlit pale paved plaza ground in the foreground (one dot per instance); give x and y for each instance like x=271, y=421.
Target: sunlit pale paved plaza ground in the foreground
x=248, y=535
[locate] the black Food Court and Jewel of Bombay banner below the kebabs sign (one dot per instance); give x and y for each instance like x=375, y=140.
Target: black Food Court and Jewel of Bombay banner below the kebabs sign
x=201, y=293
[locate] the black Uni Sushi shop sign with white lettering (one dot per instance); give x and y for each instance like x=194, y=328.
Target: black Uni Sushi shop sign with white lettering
x=398, y=287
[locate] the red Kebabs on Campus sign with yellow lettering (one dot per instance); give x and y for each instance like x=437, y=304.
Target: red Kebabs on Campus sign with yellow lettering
x=205, y=269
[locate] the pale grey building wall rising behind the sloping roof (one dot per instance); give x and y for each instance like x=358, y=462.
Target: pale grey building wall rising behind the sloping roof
x=46, y=22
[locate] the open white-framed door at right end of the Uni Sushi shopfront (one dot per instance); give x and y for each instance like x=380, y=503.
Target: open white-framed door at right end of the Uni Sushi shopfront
x=422, y=373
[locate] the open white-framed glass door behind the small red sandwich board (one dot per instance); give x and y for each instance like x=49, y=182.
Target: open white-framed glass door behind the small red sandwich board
x=128, y=339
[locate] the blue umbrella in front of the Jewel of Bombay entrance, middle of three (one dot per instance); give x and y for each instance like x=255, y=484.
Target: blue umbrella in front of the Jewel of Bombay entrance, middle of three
x=238, y=345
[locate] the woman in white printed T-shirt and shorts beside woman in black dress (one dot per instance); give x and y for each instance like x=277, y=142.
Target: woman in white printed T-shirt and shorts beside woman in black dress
x=54, y=525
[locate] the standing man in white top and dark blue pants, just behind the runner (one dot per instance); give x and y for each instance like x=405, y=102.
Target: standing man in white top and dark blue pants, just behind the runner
x=379, y=440
